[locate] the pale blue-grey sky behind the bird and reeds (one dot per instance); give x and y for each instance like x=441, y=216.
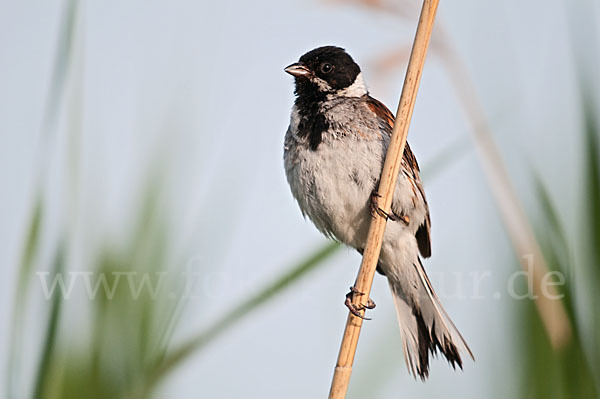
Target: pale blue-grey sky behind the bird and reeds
x=201, y=85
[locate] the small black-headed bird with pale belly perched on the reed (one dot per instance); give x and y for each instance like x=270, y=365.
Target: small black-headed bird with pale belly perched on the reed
x=334, y=150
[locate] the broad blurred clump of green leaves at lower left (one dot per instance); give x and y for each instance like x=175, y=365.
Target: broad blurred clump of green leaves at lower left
x=129, y=321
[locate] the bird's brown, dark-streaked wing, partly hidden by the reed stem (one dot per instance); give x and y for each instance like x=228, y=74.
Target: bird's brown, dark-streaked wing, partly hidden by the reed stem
x=410, y=168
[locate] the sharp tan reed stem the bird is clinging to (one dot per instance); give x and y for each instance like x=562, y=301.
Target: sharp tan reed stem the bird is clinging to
x=391, y=168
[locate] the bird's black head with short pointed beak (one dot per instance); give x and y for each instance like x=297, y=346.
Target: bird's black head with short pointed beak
x=324, y=70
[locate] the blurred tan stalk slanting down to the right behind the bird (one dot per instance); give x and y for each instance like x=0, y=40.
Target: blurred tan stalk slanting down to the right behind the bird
x=552, y=311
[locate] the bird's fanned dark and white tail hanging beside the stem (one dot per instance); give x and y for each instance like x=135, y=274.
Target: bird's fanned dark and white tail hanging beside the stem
x=426, y=327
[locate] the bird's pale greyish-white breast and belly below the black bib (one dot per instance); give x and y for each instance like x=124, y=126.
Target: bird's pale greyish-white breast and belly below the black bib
x=333, y=183
